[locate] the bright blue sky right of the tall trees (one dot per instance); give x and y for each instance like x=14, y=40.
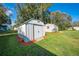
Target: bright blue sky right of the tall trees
x=69, y=8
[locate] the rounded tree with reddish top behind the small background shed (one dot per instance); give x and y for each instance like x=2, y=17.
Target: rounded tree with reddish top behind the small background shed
x=63, y=20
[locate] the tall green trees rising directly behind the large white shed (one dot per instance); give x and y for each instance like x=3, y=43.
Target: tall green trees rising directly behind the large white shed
x=33, y=10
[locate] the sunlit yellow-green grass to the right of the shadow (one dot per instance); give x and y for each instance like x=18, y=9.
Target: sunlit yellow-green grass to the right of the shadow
x=65, y=43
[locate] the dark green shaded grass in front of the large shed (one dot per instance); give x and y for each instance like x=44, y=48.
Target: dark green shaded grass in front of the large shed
x=9, y=46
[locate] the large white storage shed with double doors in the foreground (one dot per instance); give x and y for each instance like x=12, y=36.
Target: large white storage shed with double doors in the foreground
x=31, y=30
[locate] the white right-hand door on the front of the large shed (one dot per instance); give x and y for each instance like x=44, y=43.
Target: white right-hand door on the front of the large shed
x=38, y=31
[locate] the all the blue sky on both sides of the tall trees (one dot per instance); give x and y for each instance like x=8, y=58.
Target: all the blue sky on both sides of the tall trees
x=69, y=8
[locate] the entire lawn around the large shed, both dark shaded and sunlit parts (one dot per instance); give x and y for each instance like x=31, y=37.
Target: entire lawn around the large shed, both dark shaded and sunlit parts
x=60, y=43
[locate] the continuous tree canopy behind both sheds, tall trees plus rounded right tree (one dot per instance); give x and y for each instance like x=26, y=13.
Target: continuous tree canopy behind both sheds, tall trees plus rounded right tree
x=40, y=11
